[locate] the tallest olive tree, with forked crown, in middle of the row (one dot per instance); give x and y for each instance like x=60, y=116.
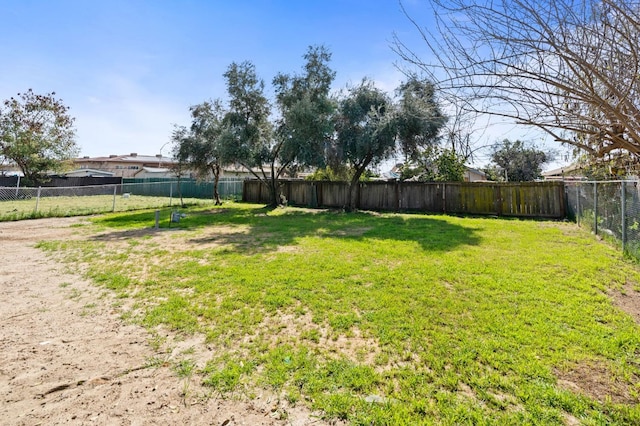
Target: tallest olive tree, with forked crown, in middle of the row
x=300, y=135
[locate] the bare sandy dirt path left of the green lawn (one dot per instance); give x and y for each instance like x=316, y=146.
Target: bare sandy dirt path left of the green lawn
x=66, y=357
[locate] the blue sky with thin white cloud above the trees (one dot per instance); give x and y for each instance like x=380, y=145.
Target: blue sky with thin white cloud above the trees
x=129, y=70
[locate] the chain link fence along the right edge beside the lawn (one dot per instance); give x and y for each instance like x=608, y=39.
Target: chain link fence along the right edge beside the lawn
x=610, y=209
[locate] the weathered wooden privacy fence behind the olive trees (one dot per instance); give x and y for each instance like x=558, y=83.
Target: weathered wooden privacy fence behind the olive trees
x=521, y=199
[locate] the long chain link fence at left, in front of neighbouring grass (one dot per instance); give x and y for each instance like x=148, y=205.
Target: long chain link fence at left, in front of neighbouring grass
x=25, y=202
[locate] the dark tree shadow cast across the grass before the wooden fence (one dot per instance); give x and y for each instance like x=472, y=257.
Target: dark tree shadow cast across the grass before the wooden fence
x=258, y=229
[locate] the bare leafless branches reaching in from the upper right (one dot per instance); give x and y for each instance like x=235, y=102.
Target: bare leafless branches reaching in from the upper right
x=568, y=68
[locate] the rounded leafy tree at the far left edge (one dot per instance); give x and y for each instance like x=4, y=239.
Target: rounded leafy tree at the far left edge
x=37, y=133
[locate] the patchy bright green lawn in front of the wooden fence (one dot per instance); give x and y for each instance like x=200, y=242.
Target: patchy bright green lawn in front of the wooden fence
x=386, y=318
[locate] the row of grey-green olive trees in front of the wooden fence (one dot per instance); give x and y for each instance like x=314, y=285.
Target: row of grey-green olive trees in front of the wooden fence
x=307, y=127
